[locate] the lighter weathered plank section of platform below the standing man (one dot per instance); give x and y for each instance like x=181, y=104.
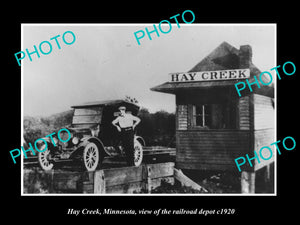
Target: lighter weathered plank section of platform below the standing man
x=131, y=179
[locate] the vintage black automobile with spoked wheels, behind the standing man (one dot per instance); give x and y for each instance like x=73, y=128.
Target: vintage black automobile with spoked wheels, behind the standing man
x=93, y=136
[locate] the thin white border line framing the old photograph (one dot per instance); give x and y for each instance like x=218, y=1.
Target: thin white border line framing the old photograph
x=143, y=24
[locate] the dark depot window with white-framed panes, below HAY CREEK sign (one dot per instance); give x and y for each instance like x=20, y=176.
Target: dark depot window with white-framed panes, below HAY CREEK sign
x=213, y=116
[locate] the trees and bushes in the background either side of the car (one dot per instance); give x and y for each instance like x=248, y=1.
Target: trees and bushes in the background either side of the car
x=156, y=128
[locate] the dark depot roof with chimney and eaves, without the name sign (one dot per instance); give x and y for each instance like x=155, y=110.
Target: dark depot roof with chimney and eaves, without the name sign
x=224, y=57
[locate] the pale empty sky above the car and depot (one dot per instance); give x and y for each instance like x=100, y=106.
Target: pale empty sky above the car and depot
x=105, y=61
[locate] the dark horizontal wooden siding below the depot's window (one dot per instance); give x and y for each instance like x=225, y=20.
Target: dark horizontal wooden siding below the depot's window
x=210, y=150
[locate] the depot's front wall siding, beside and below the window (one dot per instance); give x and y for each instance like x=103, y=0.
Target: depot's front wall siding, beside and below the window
x=211, y=149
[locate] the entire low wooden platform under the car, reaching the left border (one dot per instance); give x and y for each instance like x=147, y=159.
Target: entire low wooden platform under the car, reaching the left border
x=120, y=180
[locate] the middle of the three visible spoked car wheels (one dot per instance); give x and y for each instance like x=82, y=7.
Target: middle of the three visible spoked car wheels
x=91, y=156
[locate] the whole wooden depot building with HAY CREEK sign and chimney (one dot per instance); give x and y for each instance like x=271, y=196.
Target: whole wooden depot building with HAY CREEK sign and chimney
x=213, y=124
